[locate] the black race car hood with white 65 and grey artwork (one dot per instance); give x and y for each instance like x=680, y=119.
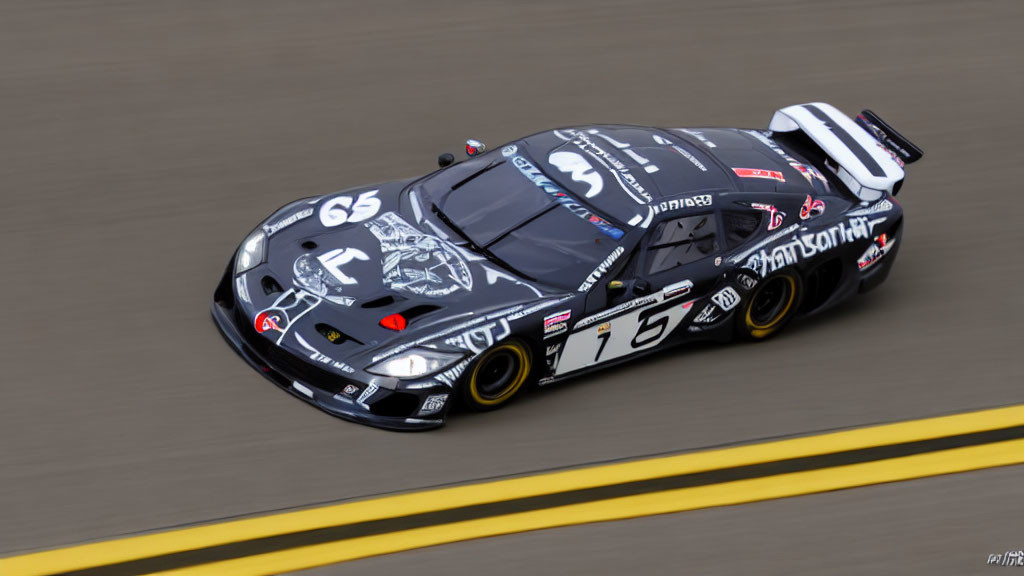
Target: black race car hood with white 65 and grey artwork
x=338, y=266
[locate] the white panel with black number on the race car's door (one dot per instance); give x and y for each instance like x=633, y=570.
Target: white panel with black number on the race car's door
x=626, y=330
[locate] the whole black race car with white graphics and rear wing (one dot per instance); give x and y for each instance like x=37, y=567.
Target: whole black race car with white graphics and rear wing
x=560, y=254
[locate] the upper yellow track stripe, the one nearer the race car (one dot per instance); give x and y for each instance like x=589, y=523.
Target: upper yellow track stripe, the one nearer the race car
x=124, y=550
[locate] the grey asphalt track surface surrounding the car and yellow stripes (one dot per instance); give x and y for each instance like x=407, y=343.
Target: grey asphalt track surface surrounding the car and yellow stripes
x=141, y=142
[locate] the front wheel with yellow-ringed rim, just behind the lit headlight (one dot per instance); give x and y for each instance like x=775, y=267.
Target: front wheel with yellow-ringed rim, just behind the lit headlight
x=497, y=377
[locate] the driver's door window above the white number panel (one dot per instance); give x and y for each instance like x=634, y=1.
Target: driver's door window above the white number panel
x=681, y=241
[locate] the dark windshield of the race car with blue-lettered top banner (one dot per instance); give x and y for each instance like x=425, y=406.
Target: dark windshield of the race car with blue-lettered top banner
x=513, y=213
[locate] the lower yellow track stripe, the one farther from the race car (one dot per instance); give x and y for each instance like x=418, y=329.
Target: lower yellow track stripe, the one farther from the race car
x=935, y=464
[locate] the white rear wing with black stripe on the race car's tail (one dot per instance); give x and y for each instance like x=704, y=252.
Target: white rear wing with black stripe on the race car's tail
x=868, y=155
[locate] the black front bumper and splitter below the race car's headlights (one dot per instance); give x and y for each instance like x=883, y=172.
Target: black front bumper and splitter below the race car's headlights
x=382, y=407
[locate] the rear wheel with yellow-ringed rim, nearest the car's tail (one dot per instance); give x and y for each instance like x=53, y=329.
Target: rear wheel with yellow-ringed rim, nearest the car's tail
x=771, y=307
